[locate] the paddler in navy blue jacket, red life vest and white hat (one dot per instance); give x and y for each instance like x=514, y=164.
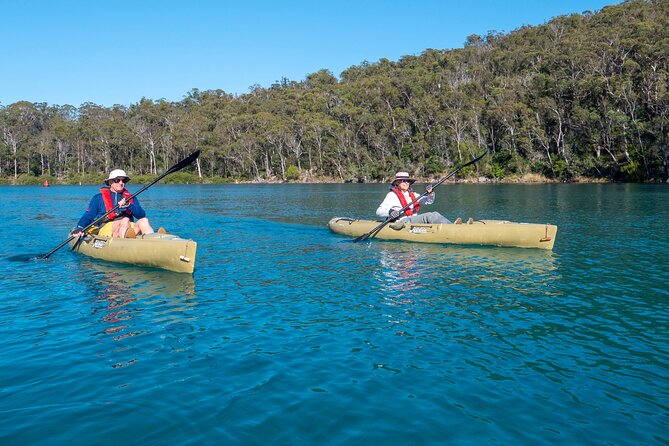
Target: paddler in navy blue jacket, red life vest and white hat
x=122, y=219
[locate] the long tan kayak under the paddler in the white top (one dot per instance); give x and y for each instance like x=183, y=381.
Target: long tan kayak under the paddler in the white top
x=480, y=232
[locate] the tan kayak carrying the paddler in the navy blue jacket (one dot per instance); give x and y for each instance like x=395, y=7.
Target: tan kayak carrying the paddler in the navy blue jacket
x=164, y=251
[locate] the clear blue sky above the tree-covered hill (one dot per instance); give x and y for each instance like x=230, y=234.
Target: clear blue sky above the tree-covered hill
x=118, y=51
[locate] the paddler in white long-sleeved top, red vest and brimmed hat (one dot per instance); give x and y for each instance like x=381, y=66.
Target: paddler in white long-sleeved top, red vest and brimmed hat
x=401, y=195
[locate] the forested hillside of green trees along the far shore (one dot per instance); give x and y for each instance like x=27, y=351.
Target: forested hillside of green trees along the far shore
x=585, y=95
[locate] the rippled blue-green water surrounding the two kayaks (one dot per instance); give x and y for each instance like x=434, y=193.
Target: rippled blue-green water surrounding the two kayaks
x=289, y=334
